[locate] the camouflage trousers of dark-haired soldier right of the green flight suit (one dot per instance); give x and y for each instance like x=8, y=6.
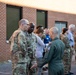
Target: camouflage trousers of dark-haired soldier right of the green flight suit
x=67, y=61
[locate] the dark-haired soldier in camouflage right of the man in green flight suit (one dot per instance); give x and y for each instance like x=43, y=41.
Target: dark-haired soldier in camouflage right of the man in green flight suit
x=66, y=57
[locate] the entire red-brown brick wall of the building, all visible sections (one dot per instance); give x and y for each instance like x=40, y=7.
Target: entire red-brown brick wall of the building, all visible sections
x=30, y=14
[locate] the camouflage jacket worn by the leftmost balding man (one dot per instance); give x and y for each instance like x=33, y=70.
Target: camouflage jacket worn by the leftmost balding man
x=19, y=47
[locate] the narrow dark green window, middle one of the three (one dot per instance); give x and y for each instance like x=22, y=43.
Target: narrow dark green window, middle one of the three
x=42, y=18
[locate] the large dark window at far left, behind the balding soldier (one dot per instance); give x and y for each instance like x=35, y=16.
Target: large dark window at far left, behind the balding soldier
x=13, y=15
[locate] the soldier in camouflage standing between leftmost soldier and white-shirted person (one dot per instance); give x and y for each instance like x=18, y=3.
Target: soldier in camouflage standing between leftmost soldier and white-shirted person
x=31, y=41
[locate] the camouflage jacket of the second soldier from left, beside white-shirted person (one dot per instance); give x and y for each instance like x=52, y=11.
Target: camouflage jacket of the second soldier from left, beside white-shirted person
x=31, y=45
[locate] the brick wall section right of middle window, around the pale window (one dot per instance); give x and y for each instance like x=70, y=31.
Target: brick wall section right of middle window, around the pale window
x=57, y=16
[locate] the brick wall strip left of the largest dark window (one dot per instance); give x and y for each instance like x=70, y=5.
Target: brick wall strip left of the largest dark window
x=4, y=47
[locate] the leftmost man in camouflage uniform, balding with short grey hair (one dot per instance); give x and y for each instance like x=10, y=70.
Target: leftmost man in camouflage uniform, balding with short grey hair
x=19, y=54
